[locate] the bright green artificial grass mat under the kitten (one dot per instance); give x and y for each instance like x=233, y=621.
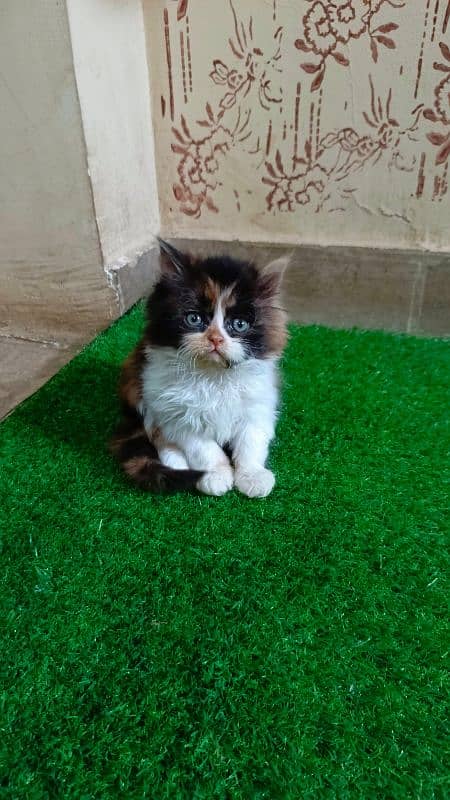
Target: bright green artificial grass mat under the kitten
x=195, y=647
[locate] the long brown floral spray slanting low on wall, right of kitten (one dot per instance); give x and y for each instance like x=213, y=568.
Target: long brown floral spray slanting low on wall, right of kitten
x=340, y=155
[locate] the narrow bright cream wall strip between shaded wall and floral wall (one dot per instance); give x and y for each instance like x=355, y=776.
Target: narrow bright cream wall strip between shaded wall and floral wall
x=108, y=44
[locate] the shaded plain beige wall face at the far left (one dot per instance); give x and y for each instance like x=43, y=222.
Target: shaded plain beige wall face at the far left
x=50, y=258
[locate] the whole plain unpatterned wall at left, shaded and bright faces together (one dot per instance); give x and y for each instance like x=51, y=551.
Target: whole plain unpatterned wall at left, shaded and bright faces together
x=78, y=199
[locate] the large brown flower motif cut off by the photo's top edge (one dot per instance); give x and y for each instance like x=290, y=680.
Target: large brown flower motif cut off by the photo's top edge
x=328, y=24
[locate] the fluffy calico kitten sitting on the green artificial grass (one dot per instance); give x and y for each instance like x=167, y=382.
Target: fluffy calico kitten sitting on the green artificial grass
x=203, y=380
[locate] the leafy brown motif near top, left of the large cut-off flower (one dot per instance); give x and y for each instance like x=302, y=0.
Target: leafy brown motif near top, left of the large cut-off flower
x=256, y=68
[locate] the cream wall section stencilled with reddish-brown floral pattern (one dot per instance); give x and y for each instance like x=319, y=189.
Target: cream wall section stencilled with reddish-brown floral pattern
x=303, y=120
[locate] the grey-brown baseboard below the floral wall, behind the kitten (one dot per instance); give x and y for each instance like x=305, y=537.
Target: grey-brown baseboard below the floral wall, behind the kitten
x=406, y=291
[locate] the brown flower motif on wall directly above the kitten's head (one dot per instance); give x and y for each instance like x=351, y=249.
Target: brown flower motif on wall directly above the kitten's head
x=200, y=159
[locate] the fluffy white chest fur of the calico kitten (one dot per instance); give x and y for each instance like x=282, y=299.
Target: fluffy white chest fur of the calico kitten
x=214, y=403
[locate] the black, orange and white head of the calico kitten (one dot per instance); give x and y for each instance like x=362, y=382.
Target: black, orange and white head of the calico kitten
x=217, y=311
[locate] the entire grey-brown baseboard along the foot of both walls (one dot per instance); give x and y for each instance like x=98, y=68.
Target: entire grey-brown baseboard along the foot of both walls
x=393, y=290
